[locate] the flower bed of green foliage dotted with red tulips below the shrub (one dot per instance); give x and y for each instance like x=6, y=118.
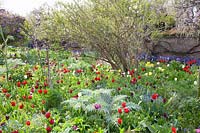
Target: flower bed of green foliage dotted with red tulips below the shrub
x=88, y=97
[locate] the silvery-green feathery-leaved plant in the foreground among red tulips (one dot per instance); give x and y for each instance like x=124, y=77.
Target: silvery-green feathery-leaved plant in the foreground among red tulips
x=103, y=98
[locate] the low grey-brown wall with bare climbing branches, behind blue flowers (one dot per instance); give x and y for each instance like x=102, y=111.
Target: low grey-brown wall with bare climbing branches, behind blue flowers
x=175, y=46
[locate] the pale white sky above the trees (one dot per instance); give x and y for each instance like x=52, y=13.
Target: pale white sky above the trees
x=23, y=7
